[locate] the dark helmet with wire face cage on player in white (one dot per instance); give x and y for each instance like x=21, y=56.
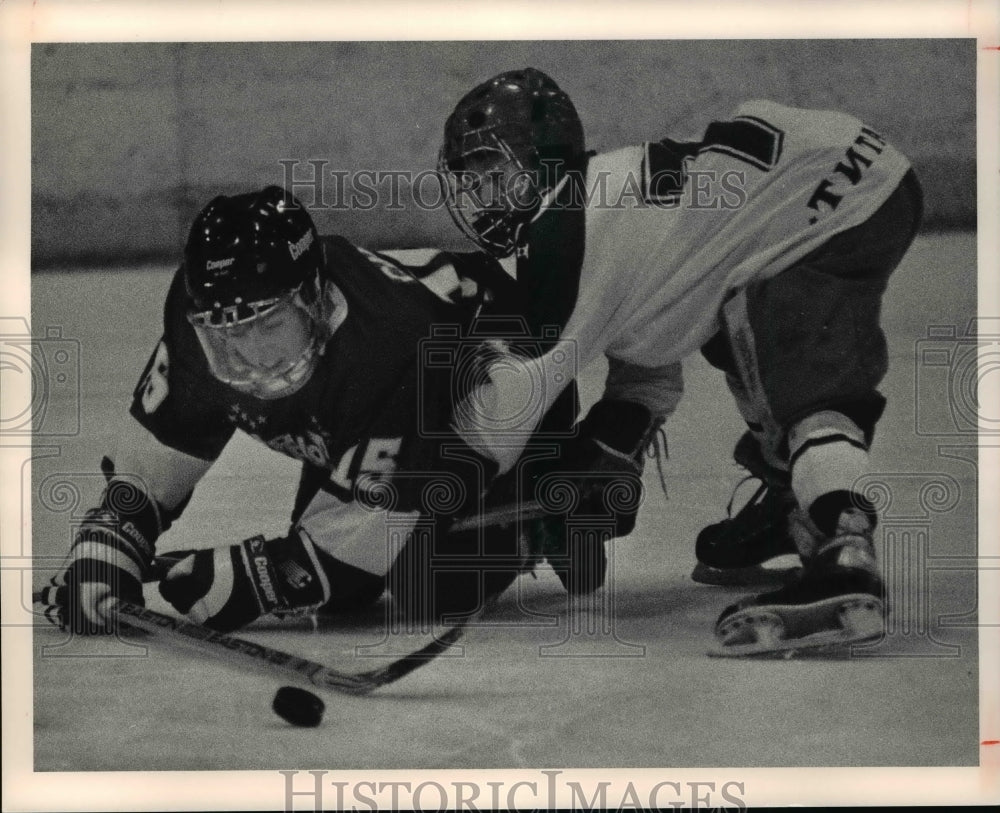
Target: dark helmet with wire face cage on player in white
x=507, y=144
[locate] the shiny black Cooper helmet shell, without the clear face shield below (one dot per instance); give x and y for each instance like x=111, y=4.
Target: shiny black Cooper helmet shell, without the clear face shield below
x=248, y=249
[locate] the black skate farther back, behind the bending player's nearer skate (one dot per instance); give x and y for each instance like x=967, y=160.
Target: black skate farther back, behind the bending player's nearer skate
x=744, y=549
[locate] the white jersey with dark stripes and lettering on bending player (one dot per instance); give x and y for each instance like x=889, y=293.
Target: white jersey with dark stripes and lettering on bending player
x=674, y=228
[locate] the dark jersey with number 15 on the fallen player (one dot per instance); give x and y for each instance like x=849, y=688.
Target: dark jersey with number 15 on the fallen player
x=380, y=400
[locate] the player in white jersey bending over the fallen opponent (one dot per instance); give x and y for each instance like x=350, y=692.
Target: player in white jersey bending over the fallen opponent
x=765, y=243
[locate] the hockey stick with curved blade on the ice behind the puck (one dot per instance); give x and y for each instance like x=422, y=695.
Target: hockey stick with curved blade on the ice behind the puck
x=176, y=631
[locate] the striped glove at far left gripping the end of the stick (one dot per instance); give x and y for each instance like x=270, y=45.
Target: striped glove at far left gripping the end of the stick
x=111, y=555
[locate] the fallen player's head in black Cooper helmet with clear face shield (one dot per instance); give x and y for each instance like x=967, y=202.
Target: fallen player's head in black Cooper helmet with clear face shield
x=256, y=300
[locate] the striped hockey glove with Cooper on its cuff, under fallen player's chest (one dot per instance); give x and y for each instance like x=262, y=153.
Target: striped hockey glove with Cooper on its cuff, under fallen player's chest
x=227, y=588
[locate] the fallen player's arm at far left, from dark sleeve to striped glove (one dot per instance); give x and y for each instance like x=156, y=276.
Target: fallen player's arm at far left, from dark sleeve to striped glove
x=177, y=426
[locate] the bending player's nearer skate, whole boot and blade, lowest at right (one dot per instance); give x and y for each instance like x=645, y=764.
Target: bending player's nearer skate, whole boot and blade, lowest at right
x=837, y=601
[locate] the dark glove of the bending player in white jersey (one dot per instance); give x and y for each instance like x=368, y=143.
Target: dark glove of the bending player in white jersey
x=604, y=464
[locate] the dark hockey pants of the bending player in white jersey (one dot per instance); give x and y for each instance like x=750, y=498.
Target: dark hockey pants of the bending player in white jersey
x=809, y=340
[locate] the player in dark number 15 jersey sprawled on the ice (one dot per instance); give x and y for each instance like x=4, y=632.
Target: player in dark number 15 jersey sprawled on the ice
x=315, y=348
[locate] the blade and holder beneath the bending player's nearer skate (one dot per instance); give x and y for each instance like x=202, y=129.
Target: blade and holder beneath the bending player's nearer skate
x=825, y=627
